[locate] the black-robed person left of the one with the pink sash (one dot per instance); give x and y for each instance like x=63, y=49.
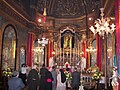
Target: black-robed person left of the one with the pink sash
x=33, y=78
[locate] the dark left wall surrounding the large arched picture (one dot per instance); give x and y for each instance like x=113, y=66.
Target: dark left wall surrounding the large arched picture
x=22, y=35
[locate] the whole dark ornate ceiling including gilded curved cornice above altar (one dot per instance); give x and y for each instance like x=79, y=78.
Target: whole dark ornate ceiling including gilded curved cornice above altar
x=60, y=13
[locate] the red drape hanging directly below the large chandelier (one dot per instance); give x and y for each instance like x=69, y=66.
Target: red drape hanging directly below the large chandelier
x=99, y=51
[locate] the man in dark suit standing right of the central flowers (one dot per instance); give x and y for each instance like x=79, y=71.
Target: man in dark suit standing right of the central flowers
x=75, y=79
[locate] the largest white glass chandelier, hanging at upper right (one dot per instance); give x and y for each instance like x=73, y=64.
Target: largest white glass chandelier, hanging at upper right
x=103, y=26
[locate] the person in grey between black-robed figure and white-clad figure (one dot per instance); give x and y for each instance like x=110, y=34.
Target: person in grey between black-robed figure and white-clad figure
x=54, y=75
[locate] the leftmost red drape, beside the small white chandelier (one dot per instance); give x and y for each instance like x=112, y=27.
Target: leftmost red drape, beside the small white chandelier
x=30, y=49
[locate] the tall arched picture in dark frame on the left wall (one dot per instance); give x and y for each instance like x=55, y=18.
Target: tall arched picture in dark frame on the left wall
x=9, y=47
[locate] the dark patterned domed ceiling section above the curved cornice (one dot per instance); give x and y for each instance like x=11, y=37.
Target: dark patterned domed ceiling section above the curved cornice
x=68, y=8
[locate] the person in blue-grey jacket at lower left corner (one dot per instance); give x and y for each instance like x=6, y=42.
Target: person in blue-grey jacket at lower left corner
x=15, y=83
